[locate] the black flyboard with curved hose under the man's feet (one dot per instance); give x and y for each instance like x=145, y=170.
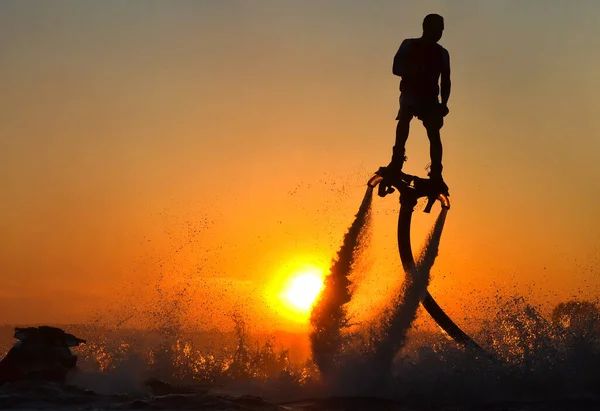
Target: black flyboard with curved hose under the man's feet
x=412, y=188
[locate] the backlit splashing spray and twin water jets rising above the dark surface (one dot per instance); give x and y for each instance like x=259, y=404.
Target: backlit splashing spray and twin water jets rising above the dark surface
x=545, y=360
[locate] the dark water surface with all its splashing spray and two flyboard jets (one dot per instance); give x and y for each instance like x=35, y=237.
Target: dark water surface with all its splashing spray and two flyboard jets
x=533, y=362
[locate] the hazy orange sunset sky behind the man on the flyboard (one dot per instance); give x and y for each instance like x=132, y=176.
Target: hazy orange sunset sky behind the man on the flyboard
x=216, y=145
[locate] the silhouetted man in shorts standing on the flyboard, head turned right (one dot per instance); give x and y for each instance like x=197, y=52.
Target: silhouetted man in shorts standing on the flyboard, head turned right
x=421, y=62
